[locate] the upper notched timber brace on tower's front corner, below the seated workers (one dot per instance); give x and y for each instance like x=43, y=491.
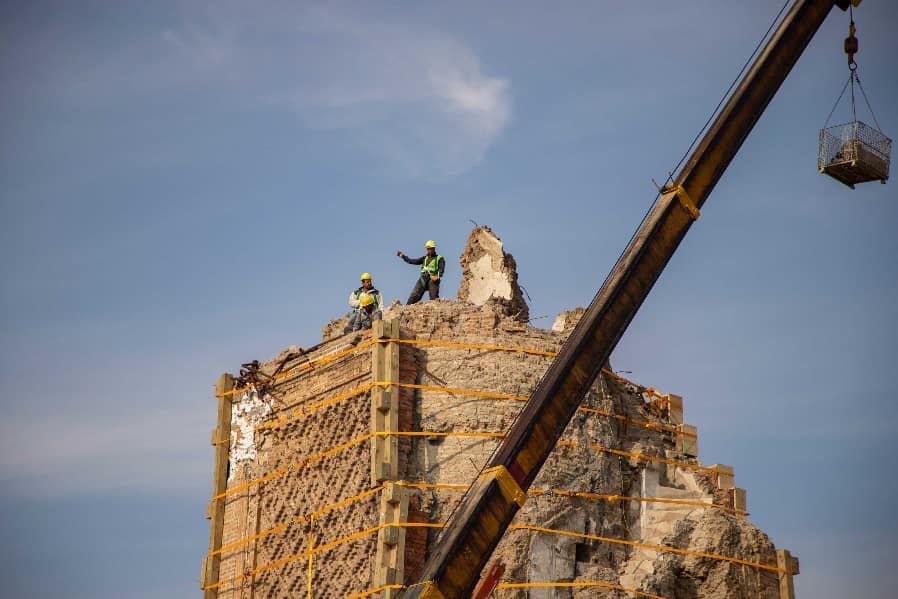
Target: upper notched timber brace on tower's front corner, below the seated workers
x=385, y=403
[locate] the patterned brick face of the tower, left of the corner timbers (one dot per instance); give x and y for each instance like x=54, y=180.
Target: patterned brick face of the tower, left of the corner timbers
x=308, y=487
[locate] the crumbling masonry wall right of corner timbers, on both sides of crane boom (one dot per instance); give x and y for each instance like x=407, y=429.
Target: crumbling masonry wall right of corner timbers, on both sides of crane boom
x=449, y=407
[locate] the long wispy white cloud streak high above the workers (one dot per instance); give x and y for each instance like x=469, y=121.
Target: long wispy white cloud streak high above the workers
x=413, y=100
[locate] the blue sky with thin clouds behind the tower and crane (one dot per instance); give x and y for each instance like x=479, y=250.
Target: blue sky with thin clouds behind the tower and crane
x=187, y=186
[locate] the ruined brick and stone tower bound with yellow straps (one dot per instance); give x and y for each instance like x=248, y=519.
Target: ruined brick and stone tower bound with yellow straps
x=337, y=465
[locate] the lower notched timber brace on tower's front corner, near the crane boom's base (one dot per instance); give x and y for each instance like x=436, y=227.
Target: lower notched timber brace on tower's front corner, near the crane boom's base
x=389, y=567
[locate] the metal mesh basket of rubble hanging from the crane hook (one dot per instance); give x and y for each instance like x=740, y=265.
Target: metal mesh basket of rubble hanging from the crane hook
x=854, y=153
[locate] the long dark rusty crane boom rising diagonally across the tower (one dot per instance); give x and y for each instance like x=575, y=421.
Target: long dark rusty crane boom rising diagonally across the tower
x=494, y=498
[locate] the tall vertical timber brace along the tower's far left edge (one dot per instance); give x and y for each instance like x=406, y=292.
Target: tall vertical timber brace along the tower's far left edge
x=221, y=441
